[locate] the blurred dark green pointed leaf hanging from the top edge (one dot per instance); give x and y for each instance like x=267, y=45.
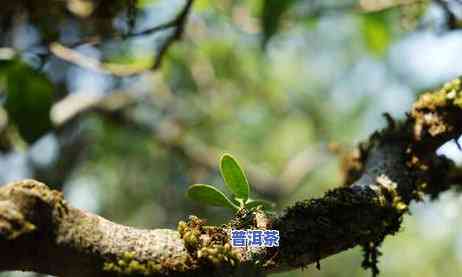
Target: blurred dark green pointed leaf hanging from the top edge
x=272, y=12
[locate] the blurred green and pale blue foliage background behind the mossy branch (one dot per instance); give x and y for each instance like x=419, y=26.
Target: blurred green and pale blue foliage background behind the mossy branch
x=286, y=86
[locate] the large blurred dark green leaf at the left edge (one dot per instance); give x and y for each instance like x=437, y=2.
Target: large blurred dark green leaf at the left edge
x=29, y=97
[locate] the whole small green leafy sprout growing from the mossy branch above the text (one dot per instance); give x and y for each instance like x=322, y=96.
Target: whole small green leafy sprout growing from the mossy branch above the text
x=235, y=181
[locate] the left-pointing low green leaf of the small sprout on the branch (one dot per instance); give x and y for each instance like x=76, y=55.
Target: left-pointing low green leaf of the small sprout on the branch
x=210, y=195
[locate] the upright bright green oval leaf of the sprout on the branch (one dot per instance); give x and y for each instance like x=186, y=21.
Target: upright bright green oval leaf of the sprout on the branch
x=234, y=177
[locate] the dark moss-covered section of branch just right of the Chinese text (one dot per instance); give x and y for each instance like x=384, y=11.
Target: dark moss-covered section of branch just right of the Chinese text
x=343, y=218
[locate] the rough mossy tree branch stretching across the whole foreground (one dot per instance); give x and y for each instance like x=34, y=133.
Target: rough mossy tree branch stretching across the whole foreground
x=40, y=232
